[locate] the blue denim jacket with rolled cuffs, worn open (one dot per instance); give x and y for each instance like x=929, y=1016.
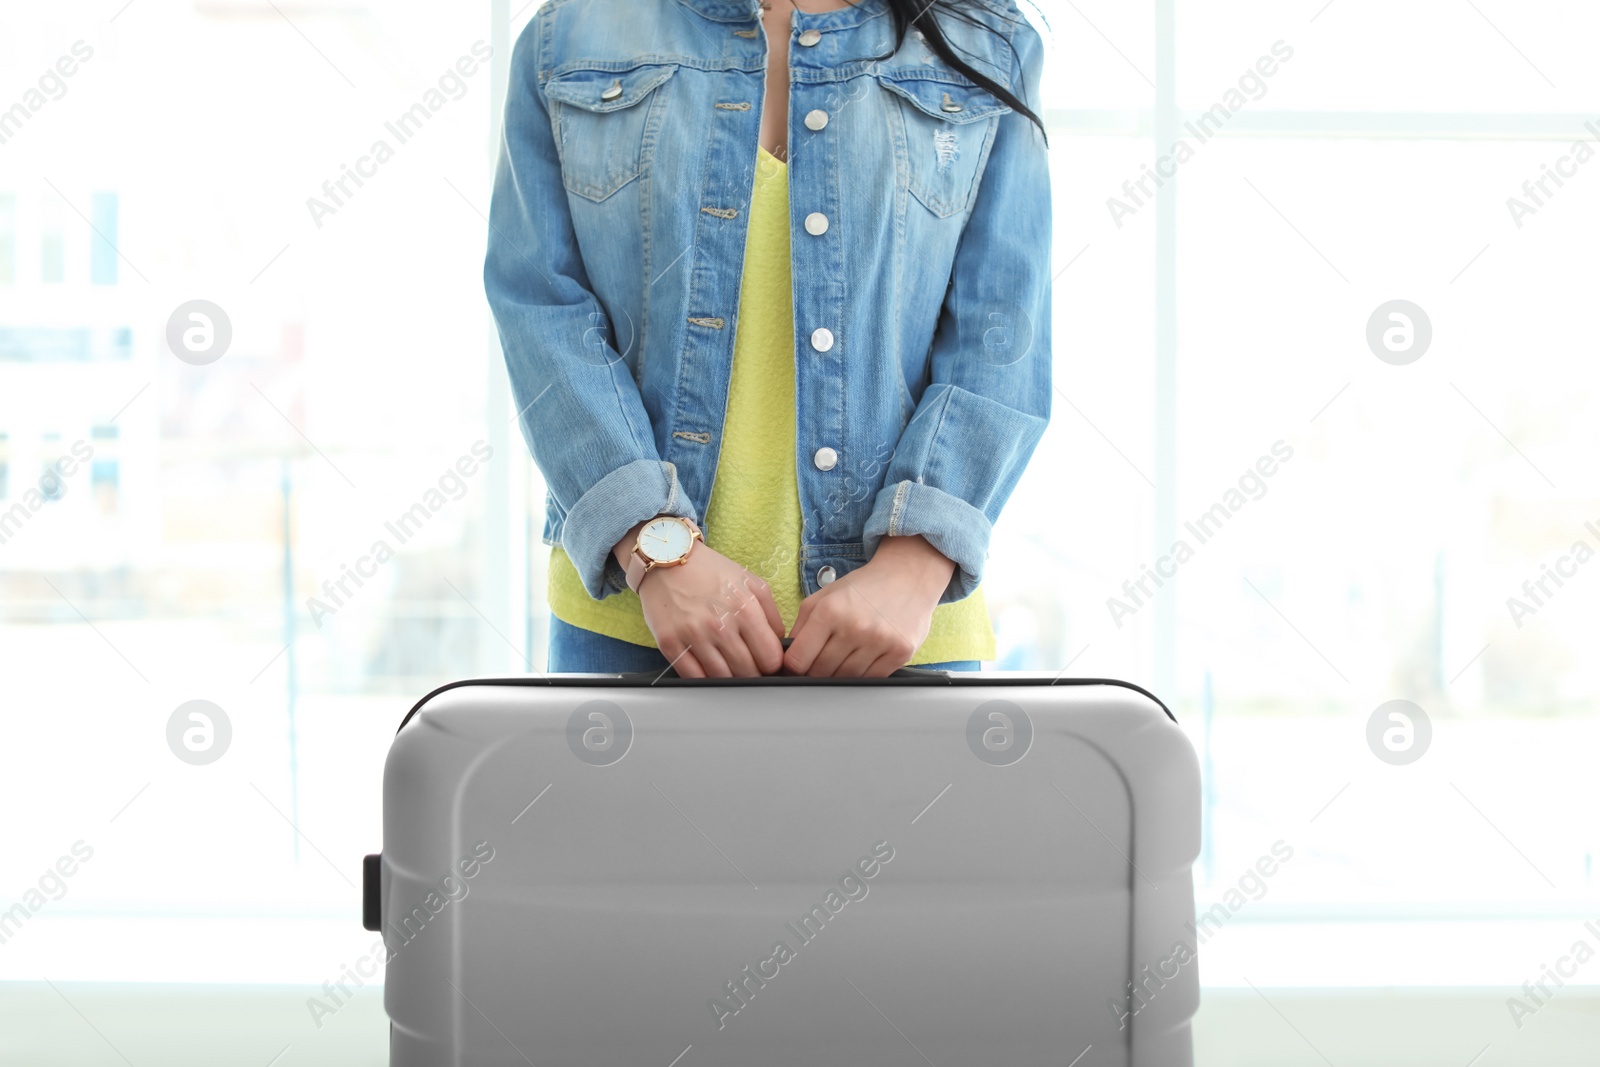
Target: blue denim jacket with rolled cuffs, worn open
x=921, y=249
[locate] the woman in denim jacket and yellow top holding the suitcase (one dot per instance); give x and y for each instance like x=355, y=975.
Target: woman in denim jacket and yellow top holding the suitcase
x=774, y=289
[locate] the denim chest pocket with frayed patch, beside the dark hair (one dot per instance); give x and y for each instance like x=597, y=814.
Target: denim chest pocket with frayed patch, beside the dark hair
x=948, y=129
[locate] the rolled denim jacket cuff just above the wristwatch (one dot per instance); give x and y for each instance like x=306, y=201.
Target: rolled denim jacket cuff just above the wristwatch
x=609, y=510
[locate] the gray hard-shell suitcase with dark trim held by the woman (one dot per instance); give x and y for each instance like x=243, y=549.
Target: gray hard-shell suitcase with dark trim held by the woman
x=937, y=869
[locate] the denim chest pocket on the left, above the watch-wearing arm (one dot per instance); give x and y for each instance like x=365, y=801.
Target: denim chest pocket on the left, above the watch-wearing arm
x=602, y=121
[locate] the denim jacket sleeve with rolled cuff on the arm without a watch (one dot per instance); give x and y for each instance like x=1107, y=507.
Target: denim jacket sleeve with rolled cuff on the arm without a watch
x=990, y=382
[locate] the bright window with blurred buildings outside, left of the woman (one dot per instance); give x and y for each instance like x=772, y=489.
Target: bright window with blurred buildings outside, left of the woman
x=212, y=516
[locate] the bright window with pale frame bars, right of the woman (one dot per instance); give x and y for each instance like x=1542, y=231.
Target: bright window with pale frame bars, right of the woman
x=1398, y=548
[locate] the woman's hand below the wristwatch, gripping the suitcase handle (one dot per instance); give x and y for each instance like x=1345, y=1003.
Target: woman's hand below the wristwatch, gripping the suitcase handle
x=713, y=618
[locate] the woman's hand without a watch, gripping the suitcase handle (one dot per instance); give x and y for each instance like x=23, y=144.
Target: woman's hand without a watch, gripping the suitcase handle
x=871, y=621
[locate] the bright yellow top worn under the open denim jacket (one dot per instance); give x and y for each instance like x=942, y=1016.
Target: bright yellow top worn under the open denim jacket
x=754, y=510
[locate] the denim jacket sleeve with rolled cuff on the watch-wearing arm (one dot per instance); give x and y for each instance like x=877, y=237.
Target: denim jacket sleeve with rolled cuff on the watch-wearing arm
x=580, y=406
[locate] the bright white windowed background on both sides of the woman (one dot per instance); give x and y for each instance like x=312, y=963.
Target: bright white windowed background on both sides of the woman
x=1377, y=166
